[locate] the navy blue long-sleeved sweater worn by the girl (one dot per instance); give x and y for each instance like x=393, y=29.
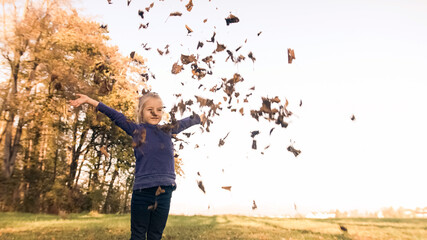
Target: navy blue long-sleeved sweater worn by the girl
x=155, y=164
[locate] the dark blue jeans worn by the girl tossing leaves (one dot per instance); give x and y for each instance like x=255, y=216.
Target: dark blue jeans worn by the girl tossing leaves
x=146, y=222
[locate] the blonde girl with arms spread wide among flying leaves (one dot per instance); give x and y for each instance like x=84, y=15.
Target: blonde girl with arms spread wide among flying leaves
x=155, y=166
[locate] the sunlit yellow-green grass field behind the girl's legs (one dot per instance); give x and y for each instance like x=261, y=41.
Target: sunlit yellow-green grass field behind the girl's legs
x=99, y=226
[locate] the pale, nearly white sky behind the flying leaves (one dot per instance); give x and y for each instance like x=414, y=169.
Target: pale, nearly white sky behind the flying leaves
x=366, y=58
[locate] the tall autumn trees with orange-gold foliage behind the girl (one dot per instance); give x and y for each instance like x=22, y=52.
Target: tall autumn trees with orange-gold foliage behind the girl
x=55, y=158
